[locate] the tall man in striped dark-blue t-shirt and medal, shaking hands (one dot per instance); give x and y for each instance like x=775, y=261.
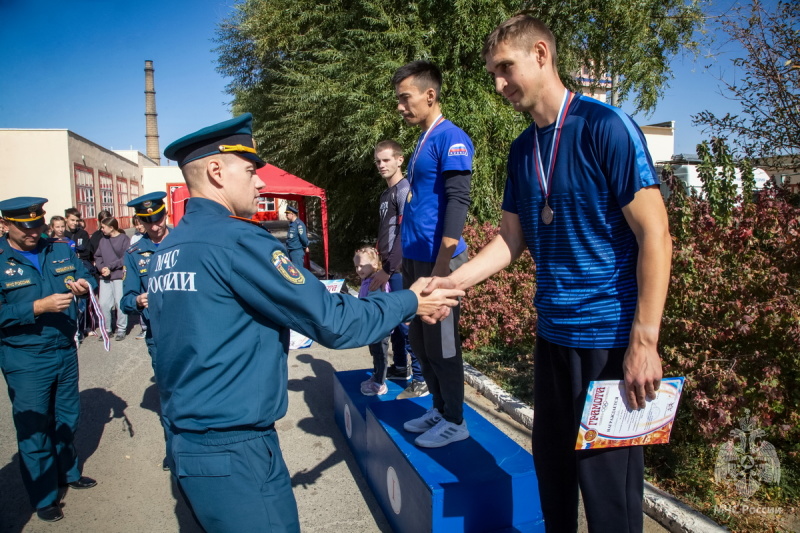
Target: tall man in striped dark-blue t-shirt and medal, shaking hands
x=582, y=196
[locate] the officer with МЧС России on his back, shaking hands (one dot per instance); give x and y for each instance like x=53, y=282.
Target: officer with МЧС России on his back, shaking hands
x=222, y=298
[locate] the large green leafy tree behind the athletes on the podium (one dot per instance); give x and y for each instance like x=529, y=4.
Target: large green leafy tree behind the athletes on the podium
x=316, y=75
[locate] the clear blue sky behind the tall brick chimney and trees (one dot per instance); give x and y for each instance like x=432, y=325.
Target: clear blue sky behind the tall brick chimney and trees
x=79, y=65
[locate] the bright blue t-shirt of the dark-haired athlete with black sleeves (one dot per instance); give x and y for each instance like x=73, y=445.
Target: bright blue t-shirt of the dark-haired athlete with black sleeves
x=446, y=148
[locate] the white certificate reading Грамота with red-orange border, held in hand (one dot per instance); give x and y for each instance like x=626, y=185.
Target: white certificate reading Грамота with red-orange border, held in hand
x=607, y=422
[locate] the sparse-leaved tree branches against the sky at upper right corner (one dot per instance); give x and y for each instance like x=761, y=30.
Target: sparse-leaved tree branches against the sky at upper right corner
x=768, y=88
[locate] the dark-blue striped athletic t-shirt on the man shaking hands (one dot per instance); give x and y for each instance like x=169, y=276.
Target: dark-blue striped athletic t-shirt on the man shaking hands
x=586, y=258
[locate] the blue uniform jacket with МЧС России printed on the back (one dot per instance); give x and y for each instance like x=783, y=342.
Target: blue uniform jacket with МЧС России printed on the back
x=222, y=297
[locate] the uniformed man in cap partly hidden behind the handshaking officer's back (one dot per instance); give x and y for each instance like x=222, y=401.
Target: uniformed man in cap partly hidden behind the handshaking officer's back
x=152, y=211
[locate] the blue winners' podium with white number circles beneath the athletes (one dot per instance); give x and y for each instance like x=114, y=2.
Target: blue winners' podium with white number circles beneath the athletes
x=484, y=483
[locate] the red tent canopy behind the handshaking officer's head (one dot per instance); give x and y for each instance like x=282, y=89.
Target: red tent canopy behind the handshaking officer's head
x=279, y=184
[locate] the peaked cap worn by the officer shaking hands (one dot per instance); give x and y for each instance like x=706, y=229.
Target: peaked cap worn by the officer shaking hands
x=234, y=136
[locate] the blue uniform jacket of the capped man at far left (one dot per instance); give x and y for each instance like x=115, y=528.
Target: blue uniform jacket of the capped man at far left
x=21, y=284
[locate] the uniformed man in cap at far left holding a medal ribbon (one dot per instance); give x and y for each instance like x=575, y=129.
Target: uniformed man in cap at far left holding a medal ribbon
x=39, y=281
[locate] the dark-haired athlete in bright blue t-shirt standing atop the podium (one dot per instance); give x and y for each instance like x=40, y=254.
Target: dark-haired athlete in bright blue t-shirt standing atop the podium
x=439, y=173
